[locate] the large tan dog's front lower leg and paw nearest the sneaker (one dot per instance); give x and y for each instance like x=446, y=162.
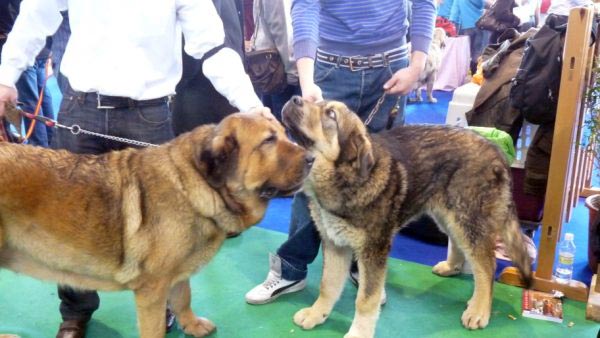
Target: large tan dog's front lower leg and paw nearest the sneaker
x=180, y=301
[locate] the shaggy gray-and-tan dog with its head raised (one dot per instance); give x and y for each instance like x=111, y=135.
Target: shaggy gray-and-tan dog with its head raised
x=363, y=188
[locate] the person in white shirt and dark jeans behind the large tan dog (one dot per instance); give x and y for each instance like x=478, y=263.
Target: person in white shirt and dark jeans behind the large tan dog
x=123, y=61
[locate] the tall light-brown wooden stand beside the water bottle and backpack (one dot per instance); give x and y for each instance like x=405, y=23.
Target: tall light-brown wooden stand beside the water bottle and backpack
x=569, y=162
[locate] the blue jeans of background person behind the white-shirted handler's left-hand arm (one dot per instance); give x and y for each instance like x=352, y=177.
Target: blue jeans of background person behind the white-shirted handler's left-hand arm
x=29, y=86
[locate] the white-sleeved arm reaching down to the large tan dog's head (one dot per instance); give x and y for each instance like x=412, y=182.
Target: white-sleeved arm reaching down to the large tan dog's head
x=203, y=31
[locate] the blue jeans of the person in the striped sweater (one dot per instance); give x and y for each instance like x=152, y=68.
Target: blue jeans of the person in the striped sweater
x=360, y=90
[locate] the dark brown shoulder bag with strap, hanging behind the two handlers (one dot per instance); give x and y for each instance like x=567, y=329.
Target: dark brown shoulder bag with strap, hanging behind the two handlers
x=265, y=67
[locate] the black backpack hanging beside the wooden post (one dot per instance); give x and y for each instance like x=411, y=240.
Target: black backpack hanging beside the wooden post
x=534, y=89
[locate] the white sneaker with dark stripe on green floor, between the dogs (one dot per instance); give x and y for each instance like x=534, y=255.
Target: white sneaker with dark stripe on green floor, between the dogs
x=274, y=286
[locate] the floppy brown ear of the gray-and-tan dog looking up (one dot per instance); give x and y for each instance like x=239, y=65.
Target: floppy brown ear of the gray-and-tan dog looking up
x=358, y=150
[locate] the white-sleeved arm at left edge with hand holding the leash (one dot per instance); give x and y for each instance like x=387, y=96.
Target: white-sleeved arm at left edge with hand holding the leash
x=37, y=20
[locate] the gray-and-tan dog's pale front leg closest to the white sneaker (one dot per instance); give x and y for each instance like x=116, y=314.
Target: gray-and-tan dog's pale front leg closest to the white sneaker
x=336, y=265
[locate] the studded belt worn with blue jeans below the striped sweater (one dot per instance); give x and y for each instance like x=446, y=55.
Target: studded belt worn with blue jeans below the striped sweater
x=361, y=62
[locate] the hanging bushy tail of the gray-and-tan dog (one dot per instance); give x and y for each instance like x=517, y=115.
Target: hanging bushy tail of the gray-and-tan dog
x=512, y=237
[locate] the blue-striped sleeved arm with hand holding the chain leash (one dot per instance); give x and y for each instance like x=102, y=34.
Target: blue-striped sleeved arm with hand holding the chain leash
x=422, y=24
